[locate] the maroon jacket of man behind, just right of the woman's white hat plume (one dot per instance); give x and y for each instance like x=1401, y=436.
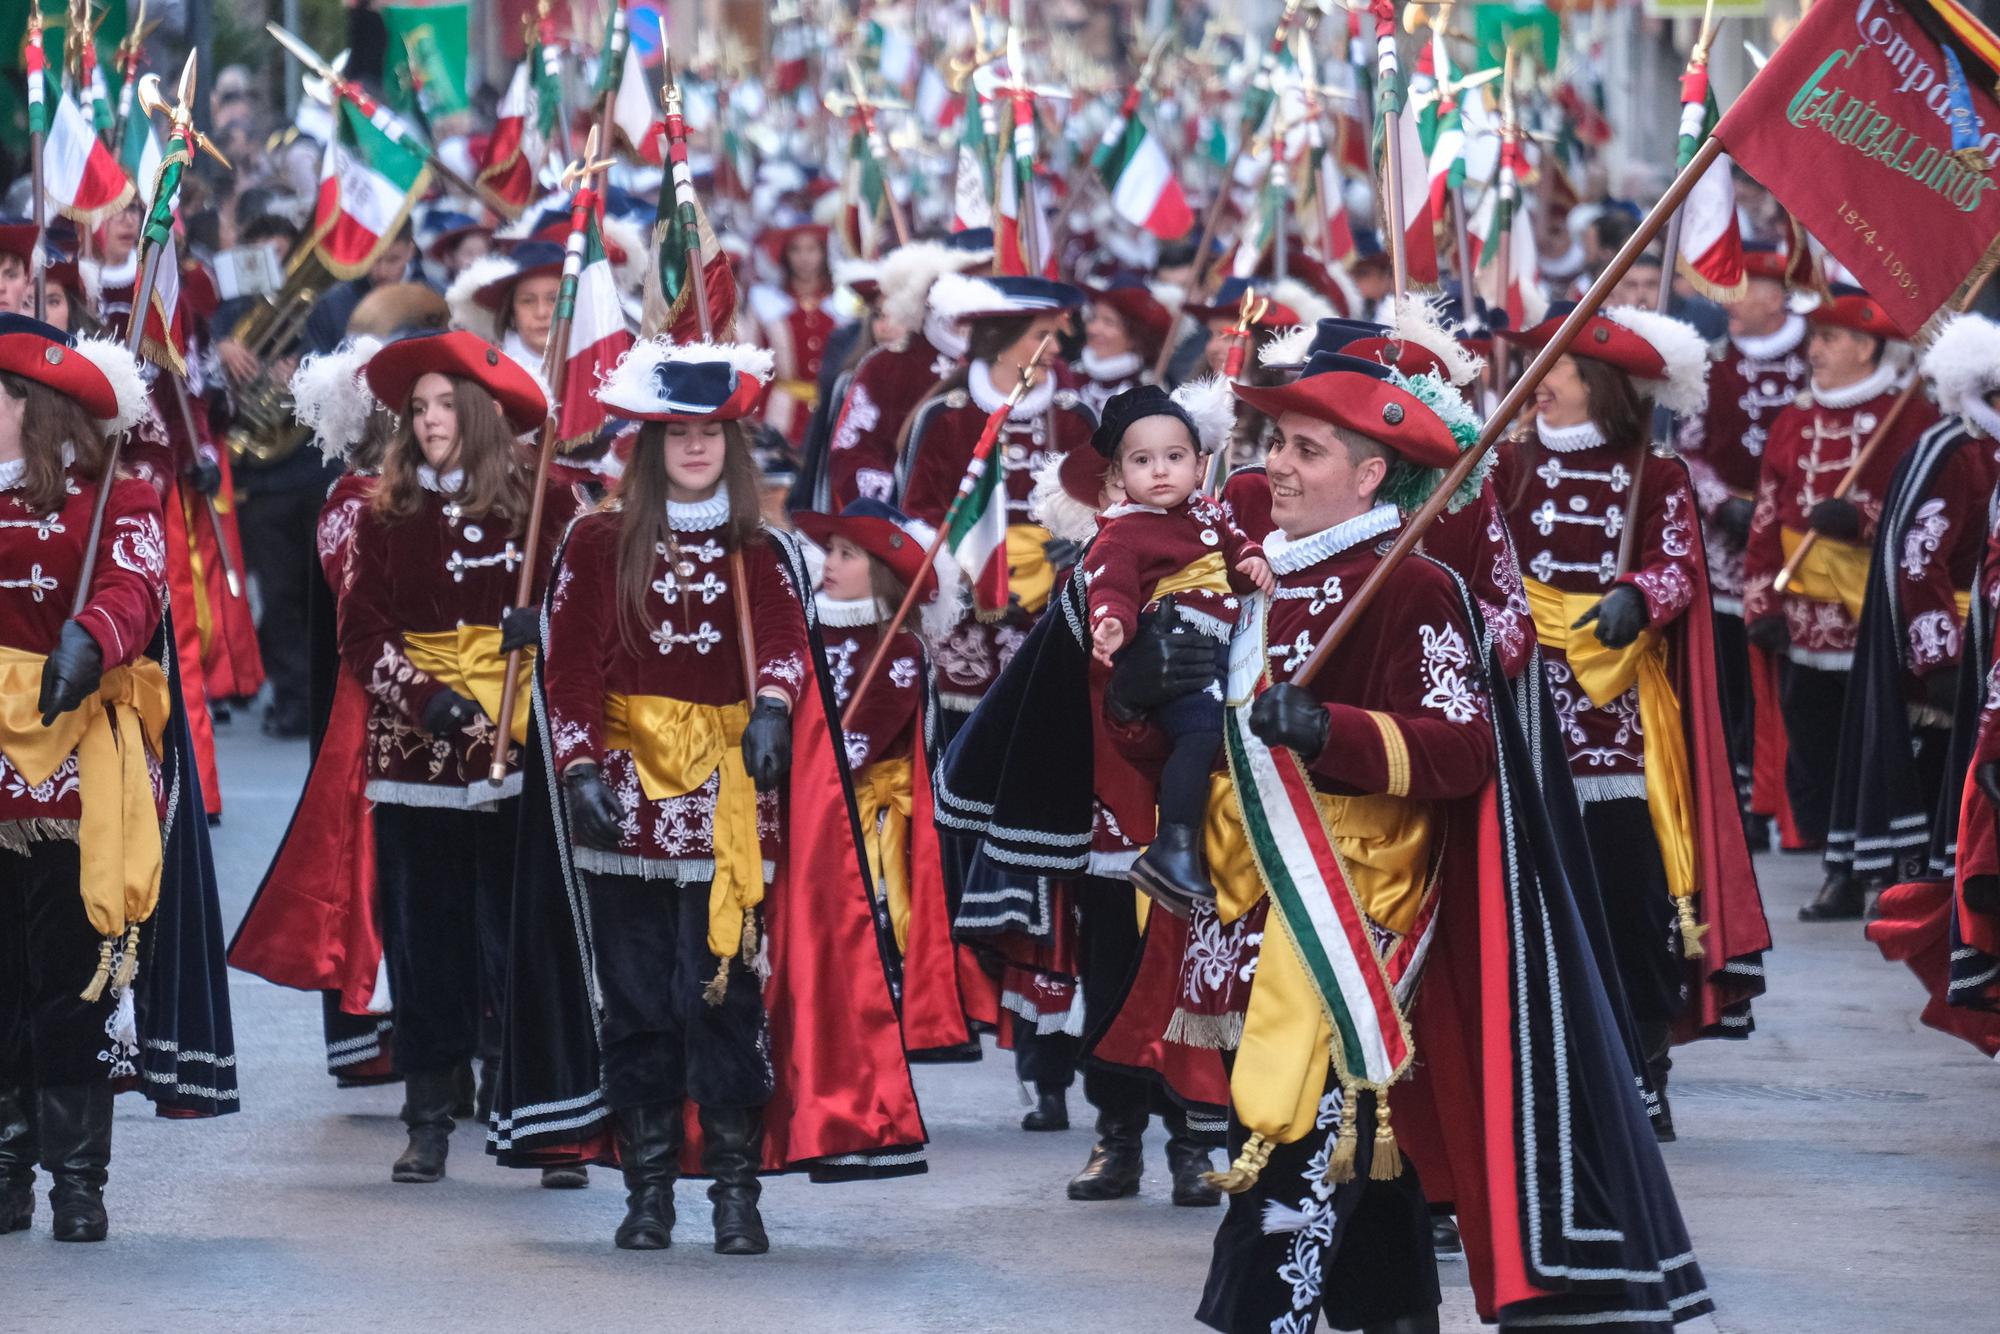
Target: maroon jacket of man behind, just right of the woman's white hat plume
x=1749, y=385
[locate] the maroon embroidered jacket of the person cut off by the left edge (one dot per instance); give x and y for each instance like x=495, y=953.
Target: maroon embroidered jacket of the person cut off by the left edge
x=41, y=559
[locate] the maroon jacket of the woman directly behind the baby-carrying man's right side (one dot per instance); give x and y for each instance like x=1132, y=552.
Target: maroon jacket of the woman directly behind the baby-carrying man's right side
x=1569, y=517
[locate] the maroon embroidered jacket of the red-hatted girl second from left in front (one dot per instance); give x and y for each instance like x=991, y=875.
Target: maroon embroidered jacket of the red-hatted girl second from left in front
x=435, y=571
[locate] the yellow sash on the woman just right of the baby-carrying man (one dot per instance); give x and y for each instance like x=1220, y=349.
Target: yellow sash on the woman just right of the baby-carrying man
x=1609, y=673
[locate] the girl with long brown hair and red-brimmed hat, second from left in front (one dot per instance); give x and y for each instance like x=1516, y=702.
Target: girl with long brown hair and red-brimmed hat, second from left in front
x=427, y=621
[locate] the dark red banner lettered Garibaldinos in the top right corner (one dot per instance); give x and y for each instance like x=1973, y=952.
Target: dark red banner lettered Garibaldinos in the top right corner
x=1875, y=123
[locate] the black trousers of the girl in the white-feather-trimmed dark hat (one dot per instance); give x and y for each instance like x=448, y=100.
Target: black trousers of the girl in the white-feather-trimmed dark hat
x=663, y=1041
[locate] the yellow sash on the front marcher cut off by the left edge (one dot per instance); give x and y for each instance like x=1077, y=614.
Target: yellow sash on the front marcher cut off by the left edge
x=119, y=835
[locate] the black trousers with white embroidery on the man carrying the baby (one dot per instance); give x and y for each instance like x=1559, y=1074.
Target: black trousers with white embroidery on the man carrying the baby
x=1357, y=1253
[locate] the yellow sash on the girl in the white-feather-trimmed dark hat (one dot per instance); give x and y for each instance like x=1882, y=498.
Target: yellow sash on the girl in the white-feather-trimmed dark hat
x=677, y=747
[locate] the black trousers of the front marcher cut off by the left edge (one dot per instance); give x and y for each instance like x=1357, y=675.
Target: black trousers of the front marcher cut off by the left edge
x=49, y=1035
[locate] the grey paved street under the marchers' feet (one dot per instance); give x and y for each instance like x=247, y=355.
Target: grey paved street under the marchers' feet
x=1835, y=1173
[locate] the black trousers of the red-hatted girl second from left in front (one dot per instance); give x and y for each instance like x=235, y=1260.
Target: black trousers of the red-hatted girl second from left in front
x=445, y=883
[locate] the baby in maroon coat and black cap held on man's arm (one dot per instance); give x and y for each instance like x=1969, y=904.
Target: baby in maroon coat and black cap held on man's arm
x=1169, y=541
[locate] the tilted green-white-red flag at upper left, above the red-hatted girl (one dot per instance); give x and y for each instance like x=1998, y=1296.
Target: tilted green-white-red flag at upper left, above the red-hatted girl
x=369, y=183
